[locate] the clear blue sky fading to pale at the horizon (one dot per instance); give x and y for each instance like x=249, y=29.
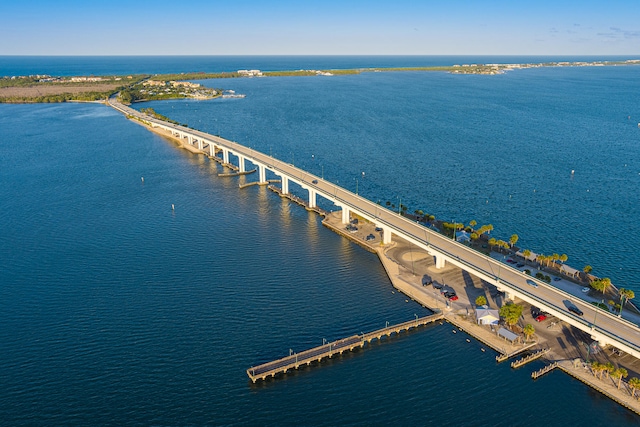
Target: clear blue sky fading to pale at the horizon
x=325, y=27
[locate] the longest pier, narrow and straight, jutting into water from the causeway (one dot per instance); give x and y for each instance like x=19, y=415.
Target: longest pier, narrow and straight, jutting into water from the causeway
x=295, y=360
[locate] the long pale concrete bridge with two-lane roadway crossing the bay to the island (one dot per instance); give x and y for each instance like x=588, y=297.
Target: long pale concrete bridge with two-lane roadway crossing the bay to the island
x=602, y=326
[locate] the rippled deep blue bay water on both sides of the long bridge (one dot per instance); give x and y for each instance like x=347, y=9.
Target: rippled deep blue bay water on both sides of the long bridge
x=118, y=310
